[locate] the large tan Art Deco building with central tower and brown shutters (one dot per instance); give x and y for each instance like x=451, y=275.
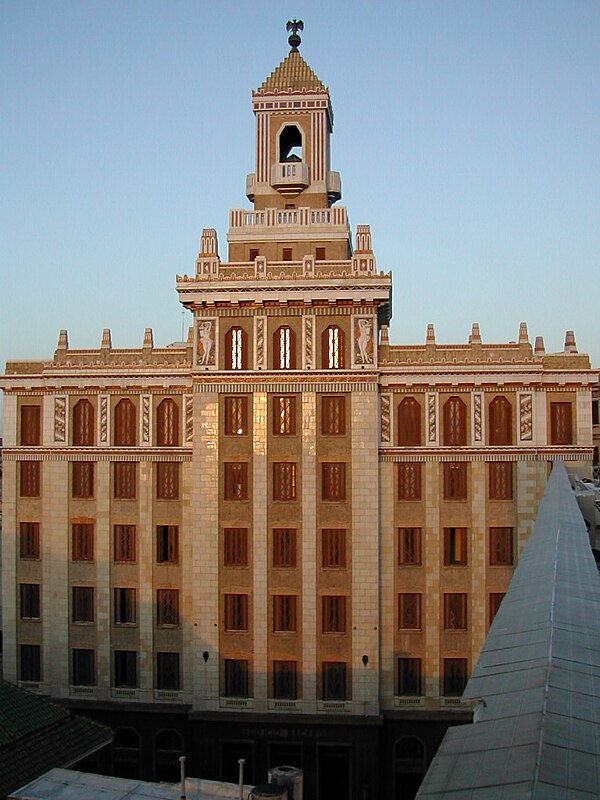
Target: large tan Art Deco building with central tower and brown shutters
x=285, y=539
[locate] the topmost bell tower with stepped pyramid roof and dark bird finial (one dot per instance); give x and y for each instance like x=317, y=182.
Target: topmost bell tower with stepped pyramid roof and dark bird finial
x=294, y=121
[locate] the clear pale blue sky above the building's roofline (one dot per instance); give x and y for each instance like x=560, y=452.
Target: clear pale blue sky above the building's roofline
x=466, y=133
